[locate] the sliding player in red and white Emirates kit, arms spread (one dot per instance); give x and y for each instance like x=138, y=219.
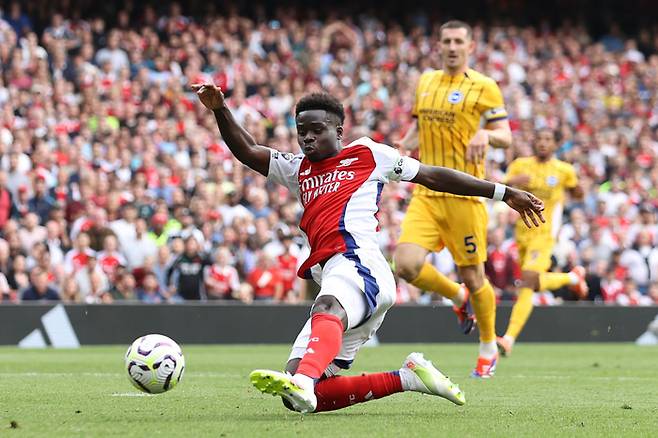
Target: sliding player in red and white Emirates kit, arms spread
x=339, y=188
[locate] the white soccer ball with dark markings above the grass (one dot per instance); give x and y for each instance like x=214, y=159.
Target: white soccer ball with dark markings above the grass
x=155, y=363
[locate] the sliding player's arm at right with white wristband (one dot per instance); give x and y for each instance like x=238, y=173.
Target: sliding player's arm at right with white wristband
x=442, y=179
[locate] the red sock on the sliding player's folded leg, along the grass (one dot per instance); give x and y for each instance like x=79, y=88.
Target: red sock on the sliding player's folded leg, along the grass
x=342, y=391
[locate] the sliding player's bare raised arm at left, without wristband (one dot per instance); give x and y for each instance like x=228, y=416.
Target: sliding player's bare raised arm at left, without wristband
x=238, y=140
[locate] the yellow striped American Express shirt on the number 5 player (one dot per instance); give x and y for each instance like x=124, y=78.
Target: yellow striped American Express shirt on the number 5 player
x=450, y=110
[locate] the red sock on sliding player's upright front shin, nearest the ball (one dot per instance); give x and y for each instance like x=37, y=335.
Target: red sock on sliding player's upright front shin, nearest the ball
x=323, y=345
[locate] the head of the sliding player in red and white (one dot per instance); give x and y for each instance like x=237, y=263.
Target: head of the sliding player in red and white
x=319, y=118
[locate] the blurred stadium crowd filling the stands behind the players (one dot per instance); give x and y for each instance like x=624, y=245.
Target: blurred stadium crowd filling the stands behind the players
x=115, y=184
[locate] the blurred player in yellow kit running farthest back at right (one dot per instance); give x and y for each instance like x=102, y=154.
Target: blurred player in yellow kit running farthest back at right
x=548, y=178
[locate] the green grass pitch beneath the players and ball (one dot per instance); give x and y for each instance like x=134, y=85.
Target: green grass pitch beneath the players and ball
x=542, y=390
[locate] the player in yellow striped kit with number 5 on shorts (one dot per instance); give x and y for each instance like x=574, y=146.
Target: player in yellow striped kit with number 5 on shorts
x=459, y=113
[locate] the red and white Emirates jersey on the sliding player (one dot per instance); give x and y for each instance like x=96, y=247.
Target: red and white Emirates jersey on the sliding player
x=340, y=195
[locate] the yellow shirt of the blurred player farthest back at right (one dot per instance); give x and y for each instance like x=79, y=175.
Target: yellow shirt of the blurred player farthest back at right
x=548, y=181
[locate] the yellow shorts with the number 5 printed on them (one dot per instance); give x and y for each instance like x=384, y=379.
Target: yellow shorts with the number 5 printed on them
x=460, y=224
